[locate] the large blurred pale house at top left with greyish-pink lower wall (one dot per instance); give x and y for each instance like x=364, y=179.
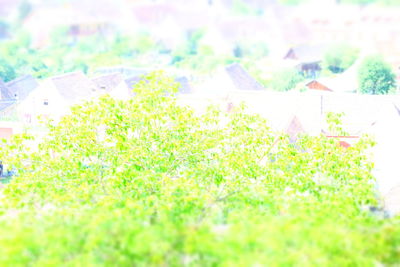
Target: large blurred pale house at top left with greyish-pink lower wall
x=80, y=18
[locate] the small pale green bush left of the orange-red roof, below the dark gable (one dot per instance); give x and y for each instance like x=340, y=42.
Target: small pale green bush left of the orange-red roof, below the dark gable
x=285, y=79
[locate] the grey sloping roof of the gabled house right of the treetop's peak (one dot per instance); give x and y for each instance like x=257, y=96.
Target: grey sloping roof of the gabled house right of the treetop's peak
x=241, y=79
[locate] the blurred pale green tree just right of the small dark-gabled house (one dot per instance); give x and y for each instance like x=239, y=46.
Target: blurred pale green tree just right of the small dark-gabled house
x=340, y=57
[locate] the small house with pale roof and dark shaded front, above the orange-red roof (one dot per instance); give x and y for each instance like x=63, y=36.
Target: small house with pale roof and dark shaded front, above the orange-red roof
x=307, y=58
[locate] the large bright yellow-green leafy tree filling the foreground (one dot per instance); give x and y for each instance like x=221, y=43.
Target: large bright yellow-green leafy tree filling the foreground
x=146, y=182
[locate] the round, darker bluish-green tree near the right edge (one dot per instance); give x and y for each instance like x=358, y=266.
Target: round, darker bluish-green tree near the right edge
x=375, y=76
